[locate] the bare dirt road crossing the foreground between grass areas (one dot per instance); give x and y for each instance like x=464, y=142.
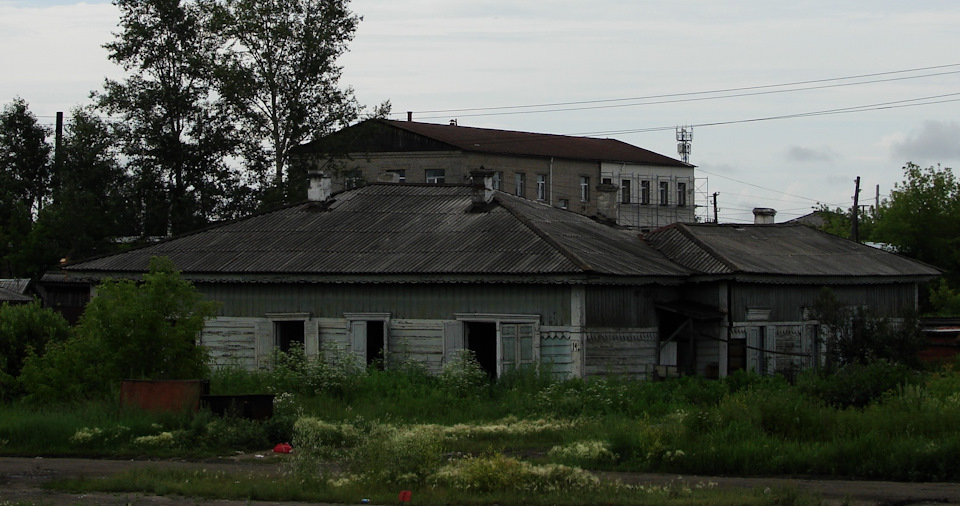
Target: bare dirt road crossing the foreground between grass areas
x=21, y=479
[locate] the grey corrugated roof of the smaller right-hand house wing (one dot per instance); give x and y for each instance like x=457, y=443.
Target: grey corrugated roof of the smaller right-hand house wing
x=781, y=249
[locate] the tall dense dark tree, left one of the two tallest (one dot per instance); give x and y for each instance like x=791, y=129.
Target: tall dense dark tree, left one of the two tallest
x=176, y=142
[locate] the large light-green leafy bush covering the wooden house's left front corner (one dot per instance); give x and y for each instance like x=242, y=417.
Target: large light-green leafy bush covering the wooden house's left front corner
x=129, y=330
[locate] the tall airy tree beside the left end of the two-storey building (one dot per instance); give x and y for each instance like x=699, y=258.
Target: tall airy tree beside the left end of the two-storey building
x=278, y=70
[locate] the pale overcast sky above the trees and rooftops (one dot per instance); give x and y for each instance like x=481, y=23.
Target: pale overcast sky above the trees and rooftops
x=790, y=102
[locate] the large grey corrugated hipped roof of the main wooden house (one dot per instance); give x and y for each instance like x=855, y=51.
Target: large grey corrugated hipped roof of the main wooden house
x=404, y=229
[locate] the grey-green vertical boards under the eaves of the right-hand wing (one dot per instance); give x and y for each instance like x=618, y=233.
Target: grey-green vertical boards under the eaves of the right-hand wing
x=786, y=302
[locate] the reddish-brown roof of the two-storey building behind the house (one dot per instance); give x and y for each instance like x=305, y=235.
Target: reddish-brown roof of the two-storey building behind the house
x=507, y=142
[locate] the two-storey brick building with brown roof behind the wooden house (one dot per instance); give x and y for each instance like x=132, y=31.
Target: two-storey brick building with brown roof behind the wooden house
x=604, y=178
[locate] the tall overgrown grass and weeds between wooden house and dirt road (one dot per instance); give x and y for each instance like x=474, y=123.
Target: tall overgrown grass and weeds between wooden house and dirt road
x=898, y=425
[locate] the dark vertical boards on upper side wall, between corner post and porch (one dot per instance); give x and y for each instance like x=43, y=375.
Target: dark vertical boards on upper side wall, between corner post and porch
x=625, y=306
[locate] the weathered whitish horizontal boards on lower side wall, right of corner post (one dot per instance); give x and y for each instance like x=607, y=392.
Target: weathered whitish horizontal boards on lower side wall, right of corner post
x=621, y=352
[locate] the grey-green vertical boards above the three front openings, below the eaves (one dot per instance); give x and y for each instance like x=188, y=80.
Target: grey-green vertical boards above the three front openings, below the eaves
x=412, y=301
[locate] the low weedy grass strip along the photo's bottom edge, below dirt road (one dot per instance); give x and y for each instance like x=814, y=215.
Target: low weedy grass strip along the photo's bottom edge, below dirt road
x=346, y=490
